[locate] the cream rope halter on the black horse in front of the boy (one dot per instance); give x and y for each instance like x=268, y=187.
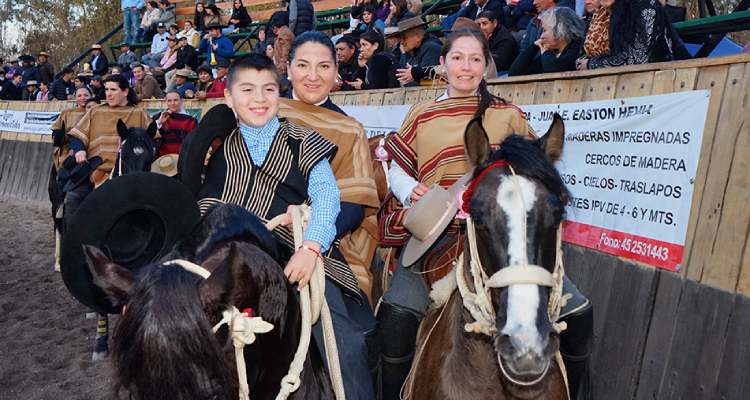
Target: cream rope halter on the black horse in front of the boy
x=242, y=326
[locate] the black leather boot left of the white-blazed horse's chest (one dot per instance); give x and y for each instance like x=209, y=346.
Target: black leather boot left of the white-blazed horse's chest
x=397, y=331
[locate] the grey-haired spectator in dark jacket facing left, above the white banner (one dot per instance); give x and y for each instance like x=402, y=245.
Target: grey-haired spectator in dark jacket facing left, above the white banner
x=558, y=47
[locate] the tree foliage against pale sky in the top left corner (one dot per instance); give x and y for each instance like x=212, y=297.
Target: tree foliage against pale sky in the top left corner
x=62, y=28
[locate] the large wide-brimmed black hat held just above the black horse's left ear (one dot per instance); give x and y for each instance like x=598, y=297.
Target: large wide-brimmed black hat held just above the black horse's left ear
x=134, y=219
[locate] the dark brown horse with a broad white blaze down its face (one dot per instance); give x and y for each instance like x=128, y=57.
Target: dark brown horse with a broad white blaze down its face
x=516, y=362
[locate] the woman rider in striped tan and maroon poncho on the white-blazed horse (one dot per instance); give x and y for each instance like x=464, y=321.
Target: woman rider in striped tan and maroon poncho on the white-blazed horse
x=429, y=150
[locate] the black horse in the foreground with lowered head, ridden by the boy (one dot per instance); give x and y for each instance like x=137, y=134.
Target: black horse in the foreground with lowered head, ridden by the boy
x=164, y=347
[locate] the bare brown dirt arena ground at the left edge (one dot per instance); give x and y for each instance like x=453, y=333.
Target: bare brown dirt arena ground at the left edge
x=45, y=340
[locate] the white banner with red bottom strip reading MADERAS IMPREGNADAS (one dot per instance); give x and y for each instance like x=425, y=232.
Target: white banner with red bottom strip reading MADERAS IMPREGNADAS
x=629, y=164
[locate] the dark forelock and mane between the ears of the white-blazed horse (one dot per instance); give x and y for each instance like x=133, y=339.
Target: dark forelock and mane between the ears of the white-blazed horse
x=529, y=160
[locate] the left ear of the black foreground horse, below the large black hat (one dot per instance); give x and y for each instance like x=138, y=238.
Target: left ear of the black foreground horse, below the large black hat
x=114, y=280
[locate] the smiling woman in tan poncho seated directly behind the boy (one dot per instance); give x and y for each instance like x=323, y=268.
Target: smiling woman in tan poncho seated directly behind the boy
x=312, y=73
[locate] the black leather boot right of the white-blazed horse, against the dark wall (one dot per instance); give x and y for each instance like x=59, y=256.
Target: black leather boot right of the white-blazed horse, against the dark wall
x=575, y=346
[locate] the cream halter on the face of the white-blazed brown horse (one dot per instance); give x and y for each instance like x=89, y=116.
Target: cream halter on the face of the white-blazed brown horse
x=479, y=302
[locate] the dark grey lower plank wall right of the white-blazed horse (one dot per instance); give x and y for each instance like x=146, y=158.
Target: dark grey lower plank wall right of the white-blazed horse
x=659, y=335
